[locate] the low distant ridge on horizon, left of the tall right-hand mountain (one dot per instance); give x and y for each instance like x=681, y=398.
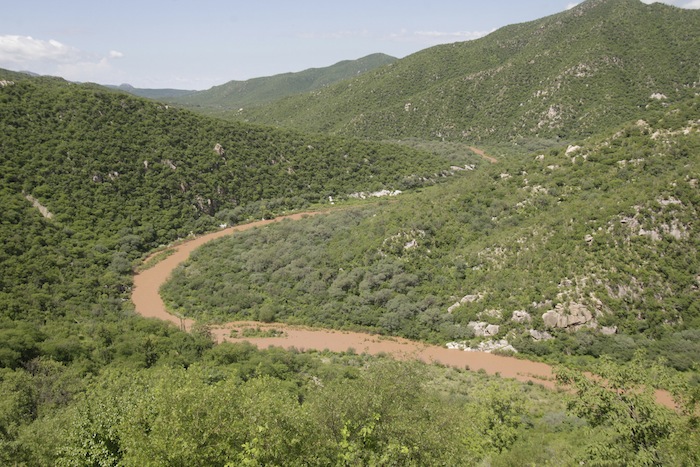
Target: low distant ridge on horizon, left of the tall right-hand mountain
x=237, y=94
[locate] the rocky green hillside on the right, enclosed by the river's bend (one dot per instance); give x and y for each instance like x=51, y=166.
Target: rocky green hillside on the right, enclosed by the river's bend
x=608, y=226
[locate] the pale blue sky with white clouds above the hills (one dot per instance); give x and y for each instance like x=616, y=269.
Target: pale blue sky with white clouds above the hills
x=196, y=44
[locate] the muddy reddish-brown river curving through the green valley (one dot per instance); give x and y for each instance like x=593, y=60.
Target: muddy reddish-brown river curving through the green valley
x=149, y=304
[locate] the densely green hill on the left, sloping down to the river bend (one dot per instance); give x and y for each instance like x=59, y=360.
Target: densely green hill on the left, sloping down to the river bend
x=91, y=180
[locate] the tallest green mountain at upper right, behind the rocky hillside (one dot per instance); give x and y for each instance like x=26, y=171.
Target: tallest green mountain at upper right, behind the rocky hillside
x=564, y=76
